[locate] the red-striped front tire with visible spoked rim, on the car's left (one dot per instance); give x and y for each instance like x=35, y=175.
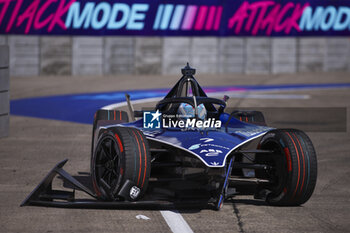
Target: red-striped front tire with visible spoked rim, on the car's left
x=128, y=159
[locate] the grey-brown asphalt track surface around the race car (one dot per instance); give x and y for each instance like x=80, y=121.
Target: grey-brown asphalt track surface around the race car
x=36, y=145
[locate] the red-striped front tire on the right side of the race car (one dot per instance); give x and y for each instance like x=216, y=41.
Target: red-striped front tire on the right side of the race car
x=295, y=163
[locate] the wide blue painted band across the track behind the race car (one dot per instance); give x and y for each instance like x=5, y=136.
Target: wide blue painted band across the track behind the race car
x=80, y=108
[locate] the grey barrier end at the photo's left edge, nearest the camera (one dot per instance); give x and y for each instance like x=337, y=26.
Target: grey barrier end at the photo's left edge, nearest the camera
x=4, y=91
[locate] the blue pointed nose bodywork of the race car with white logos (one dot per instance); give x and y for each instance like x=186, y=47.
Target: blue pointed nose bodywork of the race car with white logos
x=211, y=146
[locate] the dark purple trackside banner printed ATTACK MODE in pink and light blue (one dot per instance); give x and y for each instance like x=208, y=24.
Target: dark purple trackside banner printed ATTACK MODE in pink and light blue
x=176, y=18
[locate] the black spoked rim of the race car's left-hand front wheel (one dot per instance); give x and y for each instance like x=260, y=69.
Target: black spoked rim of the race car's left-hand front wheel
x=107, y=166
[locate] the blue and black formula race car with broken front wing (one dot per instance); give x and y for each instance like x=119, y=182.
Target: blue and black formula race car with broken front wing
x=187, y=150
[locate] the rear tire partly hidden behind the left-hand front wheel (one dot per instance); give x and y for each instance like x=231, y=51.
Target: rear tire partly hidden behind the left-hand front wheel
x=105, y=117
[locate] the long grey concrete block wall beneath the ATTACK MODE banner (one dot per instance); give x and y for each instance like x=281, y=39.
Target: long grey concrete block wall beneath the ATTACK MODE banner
x=33, y=55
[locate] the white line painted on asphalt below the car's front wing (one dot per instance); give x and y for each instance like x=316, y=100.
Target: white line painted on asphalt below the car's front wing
x=176, y=222
